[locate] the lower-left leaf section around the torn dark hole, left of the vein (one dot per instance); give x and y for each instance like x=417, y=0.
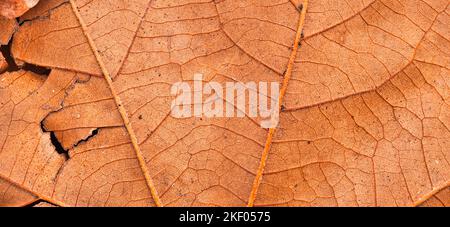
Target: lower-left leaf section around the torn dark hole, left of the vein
x=27, y=99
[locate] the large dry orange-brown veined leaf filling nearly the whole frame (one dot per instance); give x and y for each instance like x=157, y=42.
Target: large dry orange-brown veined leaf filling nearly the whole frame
x=365, y=121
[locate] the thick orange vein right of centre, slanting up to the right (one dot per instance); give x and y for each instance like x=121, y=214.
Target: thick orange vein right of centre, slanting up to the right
x=286, y=79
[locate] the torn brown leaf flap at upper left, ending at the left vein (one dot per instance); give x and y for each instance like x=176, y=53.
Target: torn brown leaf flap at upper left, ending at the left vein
x=40, y=40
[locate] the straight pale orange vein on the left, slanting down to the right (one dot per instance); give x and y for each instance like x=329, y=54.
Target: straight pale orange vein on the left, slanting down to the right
x=122, y=110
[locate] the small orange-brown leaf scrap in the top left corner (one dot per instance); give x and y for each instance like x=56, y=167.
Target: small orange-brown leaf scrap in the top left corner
x=16, y=8
